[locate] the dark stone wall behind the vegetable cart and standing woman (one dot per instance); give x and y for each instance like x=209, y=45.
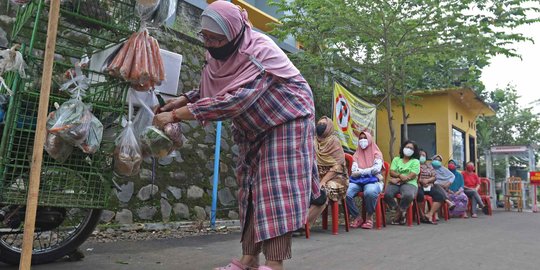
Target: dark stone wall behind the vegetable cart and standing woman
x=182, y=186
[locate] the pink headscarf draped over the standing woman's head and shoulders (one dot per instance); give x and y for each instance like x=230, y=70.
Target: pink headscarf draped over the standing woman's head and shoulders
x=220, y=77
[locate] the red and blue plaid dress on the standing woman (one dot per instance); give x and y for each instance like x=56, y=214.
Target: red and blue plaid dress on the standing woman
x=273, y=126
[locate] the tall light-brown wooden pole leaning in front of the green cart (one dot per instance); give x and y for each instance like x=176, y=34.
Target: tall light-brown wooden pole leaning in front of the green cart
x=39, y=139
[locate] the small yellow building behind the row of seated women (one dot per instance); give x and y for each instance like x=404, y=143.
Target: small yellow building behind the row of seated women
x=440, y=121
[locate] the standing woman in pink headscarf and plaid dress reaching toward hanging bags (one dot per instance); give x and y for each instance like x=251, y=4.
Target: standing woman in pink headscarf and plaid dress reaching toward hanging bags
x=249, y=79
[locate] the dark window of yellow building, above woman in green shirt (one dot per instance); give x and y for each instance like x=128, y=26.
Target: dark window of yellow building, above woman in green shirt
x=424, y=135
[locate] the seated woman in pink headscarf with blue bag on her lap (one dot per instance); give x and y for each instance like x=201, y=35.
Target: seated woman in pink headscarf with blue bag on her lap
x=365, y=176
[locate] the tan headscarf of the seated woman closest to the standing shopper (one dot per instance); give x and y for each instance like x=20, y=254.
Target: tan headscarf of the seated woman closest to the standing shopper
x=327, y=146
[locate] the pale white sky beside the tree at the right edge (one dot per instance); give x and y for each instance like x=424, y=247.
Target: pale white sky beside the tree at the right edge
x=523, y=73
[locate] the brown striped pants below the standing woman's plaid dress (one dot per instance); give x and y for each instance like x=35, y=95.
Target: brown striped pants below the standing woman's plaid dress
x=274, y=249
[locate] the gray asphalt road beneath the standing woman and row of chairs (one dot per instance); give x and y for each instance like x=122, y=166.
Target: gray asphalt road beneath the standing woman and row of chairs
x=503, y=241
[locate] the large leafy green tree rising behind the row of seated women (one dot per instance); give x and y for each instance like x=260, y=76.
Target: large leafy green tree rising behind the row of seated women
x=390, y=46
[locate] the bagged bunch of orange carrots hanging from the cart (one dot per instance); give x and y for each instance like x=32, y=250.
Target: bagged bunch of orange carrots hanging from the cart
x=139, y=62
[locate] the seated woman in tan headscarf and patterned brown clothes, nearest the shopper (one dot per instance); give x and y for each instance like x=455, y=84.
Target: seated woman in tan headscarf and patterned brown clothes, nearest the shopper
x=331, y=166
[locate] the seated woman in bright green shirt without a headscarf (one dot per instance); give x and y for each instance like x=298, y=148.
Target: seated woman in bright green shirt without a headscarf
x=403, y=179
